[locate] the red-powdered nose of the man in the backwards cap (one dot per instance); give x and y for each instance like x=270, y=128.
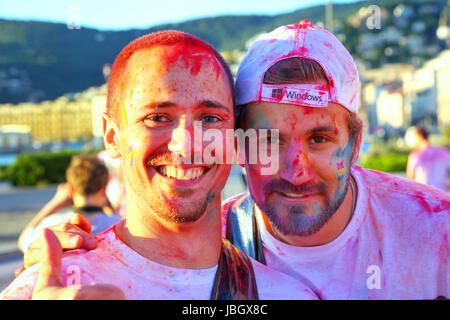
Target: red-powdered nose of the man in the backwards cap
x=296, y=170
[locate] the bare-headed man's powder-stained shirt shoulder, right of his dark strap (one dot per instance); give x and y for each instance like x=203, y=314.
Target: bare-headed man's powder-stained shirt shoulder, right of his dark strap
x=275, y=285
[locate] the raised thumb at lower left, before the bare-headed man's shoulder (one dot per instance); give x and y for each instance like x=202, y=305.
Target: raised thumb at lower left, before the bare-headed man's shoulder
x=50, y=270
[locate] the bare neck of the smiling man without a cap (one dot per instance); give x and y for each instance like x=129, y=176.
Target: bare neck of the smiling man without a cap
x=193, y=245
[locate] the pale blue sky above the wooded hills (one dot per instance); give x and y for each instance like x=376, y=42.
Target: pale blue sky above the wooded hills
x=128, y=14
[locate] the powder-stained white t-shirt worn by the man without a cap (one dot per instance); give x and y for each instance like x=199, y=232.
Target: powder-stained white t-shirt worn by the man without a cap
x=113, y=262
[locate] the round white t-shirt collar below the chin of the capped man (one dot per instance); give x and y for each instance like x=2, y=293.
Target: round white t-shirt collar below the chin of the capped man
x=285, y=251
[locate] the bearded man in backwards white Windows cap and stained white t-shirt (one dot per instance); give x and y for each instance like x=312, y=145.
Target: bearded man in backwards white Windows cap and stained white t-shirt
x=348, y=232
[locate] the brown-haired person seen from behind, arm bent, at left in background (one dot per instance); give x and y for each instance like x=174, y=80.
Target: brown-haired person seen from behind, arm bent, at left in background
x=83, y=193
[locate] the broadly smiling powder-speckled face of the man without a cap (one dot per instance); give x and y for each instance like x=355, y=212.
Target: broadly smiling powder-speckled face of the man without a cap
x=166, y=90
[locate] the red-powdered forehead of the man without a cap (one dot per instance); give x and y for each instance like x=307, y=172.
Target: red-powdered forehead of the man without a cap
x=155, y=74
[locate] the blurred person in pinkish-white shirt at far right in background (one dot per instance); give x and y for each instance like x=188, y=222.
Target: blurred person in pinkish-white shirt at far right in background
x=428, y=164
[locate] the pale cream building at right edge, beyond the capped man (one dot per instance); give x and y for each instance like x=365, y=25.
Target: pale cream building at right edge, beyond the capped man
x=401, y=95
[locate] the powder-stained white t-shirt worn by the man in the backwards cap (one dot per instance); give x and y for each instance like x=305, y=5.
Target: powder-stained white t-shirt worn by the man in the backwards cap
x=396, y=245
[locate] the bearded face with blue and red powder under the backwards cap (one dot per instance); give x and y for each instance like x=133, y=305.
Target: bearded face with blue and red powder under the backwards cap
x=314, y=165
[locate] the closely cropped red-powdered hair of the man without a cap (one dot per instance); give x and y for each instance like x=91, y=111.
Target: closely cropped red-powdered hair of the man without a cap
x=163, y=38
